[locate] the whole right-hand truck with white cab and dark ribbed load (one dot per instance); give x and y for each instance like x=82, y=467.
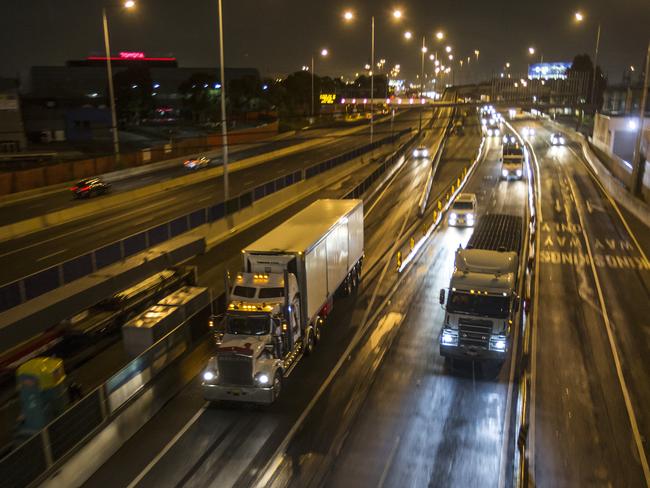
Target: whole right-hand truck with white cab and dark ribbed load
x=481, y=301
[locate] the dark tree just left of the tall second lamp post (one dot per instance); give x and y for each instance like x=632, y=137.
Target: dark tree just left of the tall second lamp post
x=201, y=94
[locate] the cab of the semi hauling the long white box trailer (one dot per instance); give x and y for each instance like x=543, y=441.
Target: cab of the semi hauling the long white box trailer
x=261, y=338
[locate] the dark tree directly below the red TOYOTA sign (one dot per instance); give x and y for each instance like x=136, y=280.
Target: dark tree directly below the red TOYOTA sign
x=133, y=93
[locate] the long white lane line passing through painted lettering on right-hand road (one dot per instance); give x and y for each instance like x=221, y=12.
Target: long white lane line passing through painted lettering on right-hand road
x=610, y=336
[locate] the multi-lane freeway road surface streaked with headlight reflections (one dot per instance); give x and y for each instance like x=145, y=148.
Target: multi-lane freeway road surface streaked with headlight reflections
x=377, y=405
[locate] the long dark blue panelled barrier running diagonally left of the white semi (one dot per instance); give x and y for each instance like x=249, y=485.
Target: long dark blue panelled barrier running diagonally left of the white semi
x=34, y=285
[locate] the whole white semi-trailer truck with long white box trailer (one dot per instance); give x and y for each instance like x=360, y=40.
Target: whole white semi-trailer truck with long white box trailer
x=280, y=299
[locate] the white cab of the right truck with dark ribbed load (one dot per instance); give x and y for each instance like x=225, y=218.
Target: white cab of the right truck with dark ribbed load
x=480, y=305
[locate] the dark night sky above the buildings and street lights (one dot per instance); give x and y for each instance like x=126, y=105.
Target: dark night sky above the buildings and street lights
x=278, y=36
